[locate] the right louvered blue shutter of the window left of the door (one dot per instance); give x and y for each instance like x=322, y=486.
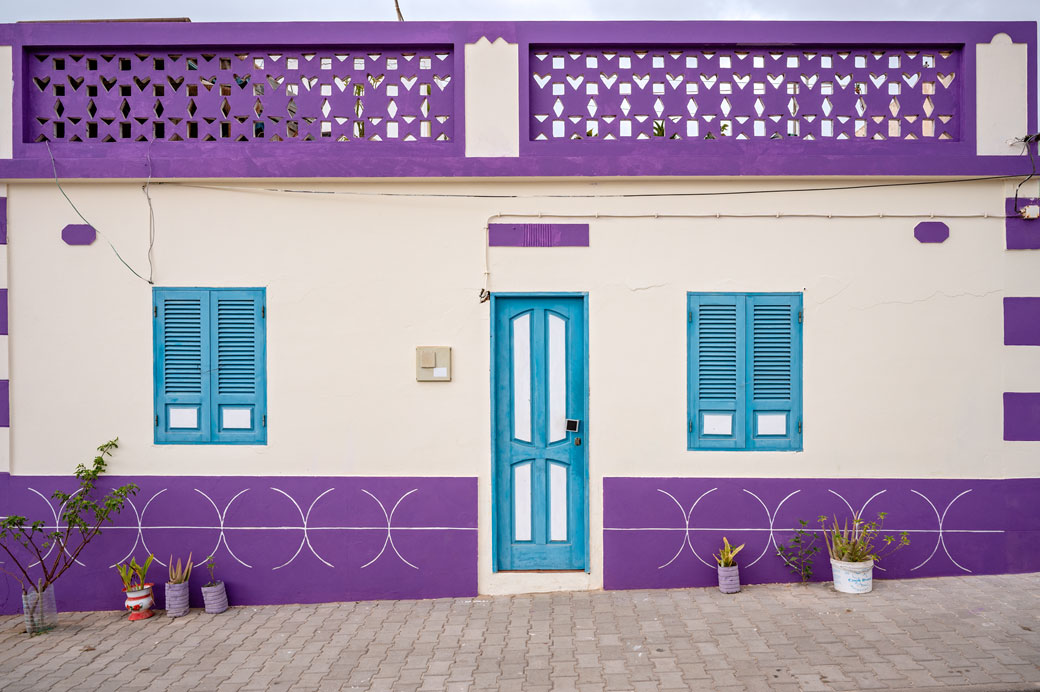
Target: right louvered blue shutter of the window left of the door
x=238, y=373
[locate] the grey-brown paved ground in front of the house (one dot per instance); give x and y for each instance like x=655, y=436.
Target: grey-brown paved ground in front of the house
x=976, y=632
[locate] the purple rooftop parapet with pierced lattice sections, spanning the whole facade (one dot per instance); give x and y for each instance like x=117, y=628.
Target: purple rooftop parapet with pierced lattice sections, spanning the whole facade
x=863, y=75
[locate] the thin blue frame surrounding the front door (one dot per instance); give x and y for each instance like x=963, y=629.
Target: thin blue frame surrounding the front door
x=495, y=416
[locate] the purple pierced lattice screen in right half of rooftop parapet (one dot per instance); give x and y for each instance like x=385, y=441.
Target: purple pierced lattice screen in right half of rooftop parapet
x=713, y=94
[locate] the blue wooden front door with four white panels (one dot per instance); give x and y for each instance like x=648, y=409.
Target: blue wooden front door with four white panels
x=539, y=383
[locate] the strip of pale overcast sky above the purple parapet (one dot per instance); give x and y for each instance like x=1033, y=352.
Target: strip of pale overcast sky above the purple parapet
x=270, y=11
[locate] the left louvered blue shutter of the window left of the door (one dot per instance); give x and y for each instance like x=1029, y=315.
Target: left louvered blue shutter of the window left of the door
x=181, y=340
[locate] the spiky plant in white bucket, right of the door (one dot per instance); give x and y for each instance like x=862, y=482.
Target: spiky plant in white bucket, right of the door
x=854, y=550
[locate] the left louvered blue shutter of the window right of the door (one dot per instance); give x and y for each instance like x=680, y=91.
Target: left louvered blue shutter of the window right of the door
x=717, y=372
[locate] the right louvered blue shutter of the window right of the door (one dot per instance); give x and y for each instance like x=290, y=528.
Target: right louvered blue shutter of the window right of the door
x=774, y=353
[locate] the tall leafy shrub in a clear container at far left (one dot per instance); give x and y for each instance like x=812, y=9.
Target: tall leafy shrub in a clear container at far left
x=57, y=549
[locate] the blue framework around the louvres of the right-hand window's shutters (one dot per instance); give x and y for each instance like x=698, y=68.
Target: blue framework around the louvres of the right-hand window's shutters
x=743, y=437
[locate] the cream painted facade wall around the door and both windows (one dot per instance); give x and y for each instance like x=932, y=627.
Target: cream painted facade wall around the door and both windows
x=904, y=358
